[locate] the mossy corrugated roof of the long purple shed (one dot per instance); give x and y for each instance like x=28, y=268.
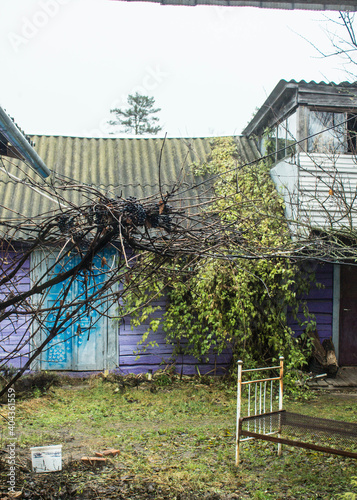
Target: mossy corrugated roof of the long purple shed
x=127, y=167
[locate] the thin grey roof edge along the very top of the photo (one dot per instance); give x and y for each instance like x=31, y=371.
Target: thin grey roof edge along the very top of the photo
x=302, y=5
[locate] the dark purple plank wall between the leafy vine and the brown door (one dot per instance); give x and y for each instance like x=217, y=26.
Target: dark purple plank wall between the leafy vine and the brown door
x=320, y=303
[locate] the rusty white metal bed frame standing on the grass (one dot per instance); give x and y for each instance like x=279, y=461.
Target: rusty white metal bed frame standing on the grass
x=267, y=420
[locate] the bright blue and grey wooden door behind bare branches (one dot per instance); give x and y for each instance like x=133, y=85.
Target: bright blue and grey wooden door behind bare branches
x=88, y=340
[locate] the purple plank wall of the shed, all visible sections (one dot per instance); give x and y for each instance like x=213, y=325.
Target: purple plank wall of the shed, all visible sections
x=15, y=330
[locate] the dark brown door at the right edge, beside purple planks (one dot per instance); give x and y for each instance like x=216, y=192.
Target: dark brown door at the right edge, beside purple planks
x=348, y=316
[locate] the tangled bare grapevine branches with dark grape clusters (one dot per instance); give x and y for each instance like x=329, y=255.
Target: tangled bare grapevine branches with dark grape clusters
x=77, y=236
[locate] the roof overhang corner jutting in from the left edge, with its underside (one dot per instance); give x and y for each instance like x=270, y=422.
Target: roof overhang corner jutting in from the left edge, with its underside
x=13, y=143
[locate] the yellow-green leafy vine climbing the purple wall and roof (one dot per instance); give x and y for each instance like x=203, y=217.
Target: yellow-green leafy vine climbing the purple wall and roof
x=240, y=302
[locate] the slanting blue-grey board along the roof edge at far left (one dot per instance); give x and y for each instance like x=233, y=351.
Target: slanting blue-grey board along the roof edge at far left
x=21, y=144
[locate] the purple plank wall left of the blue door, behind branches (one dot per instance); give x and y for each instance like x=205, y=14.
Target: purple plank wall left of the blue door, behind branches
x=14, y=331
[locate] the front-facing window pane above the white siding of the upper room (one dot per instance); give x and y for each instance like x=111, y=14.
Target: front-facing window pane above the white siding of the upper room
x=326, y=132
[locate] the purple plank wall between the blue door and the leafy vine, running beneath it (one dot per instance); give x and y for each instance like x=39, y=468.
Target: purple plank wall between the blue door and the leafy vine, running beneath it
x=159, y=356
